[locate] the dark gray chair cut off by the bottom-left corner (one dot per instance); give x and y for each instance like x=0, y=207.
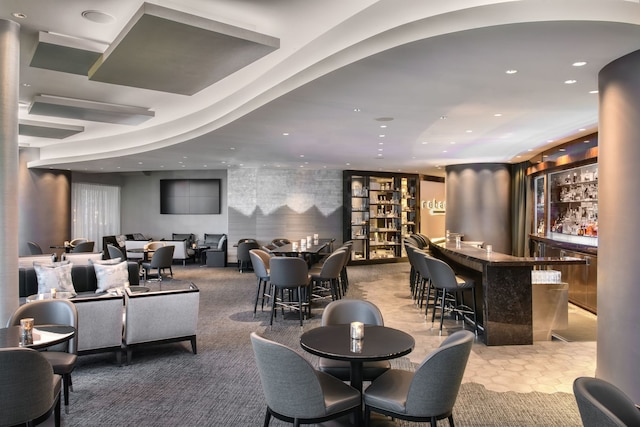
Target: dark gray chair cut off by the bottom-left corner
x=29, y=390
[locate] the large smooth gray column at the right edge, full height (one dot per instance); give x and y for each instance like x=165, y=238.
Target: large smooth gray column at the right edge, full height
x=619, y=210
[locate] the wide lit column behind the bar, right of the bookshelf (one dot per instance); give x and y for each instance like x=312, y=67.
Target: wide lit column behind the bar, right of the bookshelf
x=479, y=203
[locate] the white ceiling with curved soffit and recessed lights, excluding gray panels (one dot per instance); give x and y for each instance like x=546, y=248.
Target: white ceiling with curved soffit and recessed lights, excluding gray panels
x=433, y=72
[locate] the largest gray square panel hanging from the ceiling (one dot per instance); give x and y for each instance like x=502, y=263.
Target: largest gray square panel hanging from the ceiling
x=171, y=51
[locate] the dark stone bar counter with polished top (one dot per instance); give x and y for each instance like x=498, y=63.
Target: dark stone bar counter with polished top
x=503, y=288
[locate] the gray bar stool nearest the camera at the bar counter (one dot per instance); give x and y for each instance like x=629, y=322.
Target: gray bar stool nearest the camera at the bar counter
x=448, y=285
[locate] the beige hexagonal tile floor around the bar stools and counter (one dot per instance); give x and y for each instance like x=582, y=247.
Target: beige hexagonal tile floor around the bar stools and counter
x=545, y=366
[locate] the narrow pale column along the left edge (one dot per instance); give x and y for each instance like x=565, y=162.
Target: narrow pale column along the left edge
x=9, y=79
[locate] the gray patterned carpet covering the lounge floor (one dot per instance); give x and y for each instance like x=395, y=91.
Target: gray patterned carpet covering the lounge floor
x=167, y=385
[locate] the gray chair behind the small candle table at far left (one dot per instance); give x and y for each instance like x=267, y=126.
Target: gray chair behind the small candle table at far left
x=62, y=357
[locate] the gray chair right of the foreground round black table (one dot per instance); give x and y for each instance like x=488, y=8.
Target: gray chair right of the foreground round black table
x=430, y=393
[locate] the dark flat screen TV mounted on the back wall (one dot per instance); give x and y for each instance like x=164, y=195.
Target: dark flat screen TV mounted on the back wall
x=189, y=196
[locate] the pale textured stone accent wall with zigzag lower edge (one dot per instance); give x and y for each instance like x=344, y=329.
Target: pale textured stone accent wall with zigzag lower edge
x=269, y=203
